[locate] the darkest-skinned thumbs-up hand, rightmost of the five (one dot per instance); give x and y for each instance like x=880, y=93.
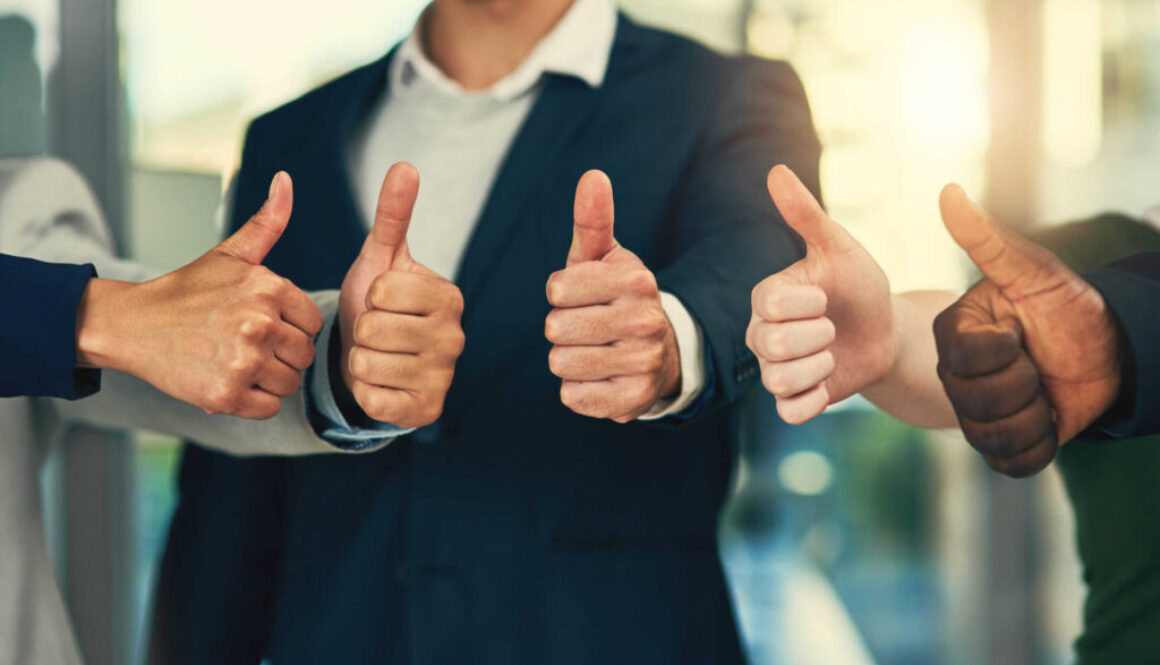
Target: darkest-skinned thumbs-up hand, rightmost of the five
x=1029, y=357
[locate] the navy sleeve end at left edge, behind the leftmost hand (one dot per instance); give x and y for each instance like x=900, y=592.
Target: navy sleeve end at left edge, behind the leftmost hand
x=39, y=336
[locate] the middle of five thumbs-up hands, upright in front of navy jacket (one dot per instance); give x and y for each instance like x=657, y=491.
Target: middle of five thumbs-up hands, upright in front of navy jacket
x=614, y=346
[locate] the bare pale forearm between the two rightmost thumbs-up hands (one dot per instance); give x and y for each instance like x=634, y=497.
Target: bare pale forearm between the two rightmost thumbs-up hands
x=912, y=392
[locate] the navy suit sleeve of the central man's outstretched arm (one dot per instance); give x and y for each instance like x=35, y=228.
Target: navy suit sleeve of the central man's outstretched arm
x=730, y=235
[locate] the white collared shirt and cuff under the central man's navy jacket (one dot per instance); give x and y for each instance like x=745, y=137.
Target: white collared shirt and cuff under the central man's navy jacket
x=459, y=139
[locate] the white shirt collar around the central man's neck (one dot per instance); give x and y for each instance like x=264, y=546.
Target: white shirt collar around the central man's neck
x=579, y=46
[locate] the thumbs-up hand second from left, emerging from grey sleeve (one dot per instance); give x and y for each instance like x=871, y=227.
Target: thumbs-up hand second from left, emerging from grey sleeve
x=400, y=320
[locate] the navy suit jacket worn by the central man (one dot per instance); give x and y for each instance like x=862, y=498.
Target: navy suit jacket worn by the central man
x=513, y=531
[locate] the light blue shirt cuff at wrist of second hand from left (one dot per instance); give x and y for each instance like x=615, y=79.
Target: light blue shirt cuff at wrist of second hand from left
x=328, y=420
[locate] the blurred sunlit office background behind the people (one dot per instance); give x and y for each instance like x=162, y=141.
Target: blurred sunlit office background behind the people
x=853, y=540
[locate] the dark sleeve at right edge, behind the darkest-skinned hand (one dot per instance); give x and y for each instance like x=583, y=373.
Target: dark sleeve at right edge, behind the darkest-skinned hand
x=1132, y=288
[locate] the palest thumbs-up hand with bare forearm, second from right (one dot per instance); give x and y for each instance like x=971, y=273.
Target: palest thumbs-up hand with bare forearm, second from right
x=823, y=329
